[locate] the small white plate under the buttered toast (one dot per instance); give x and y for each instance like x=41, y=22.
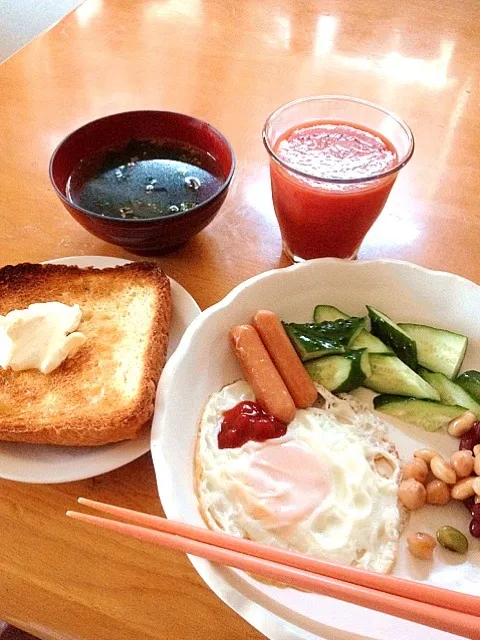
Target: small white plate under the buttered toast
x=48, y=464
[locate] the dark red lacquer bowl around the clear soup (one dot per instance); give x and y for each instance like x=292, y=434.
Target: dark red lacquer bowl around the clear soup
x=146, y=237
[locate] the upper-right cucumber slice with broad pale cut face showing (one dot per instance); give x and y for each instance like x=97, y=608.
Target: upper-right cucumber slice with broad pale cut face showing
x=437, y=349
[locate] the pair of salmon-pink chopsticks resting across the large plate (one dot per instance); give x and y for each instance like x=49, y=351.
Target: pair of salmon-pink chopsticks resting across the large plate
x=422, y=603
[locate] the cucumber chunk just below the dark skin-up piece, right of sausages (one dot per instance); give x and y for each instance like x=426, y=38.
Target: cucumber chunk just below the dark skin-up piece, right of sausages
x=340, y=373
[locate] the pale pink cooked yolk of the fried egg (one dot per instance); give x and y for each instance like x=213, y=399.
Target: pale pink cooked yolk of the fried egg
x=284, y=484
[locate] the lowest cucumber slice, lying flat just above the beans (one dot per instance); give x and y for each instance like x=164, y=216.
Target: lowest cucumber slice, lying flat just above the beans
x=426, y=414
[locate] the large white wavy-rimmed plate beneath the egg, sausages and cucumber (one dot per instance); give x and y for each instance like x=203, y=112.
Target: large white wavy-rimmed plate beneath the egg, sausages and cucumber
x=203, y=364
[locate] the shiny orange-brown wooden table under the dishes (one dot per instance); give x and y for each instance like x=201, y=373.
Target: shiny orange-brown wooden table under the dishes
x=230, y=62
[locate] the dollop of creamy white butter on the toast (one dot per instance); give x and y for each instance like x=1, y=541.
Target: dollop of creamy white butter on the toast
x=40, y=337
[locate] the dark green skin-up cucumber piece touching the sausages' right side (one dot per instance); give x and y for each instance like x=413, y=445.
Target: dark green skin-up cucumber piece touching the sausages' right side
x=313, y=340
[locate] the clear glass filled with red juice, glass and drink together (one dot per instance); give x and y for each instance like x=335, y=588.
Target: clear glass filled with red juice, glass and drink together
x=331, y=177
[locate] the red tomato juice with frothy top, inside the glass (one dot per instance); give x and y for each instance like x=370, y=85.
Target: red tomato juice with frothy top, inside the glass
x=340, y=178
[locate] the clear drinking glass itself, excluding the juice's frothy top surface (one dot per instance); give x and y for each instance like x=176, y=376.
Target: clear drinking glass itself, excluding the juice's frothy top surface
x=321, y=215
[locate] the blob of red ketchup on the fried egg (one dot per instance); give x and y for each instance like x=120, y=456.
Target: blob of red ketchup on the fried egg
x=248, y=421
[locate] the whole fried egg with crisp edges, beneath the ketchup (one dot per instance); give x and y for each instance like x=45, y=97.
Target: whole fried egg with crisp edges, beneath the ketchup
x=328, y=487
